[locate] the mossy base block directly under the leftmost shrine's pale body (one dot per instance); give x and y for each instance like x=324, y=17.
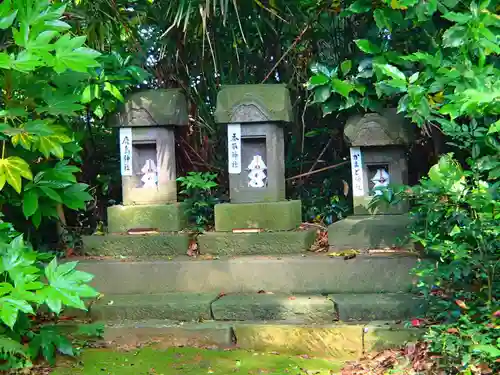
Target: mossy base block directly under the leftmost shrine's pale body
x=161, y=217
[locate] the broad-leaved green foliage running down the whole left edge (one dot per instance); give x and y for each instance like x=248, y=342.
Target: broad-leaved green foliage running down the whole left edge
x=44, y=73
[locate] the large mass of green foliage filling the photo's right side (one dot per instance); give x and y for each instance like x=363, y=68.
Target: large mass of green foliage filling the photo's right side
x=437, y=61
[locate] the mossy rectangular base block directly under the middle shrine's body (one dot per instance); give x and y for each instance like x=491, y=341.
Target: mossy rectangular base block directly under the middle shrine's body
x=276, y=216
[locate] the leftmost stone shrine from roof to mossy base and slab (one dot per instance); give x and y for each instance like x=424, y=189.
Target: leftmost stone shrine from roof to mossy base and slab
x=147, y=161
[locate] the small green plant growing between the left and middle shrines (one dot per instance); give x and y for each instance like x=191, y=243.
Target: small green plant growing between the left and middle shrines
x=198, y=189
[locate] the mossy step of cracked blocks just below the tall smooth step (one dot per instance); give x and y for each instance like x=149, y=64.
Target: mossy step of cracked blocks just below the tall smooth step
x=254, y=307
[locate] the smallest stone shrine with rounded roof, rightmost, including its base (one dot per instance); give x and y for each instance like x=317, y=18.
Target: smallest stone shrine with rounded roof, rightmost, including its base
x=378, y=159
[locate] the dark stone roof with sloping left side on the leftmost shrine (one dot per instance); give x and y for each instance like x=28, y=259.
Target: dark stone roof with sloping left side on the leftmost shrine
x=165, y=107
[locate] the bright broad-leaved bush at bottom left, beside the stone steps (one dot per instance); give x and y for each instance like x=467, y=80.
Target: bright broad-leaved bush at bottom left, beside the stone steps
x=30, y=283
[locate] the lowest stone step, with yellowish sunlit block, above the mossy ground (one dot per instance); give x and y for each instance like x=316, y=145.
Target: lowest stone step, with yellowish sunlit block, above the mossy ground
x=335, y=340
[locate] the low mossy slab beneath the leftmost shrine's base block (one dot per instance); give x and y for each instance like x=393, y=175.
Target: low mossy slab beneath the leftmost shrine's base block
x=162, y=244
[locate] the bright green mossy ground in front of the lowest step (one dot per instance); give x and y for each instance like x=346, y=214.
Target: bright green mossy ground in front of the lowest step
x=192, y=361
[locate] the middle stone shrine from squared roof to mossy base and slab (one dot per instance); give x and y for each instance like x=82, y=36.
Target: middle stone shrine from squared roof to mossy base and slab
x=254, y=116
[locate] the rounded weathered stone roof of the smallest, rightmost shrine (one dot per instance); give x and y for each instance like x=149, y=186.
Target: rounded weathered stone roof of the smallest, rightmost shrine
x=374, y=129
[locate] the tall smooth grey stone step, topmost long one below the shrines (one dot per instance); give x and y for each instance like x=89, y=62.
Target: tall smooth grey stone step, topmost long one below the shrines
x=306, y=274
